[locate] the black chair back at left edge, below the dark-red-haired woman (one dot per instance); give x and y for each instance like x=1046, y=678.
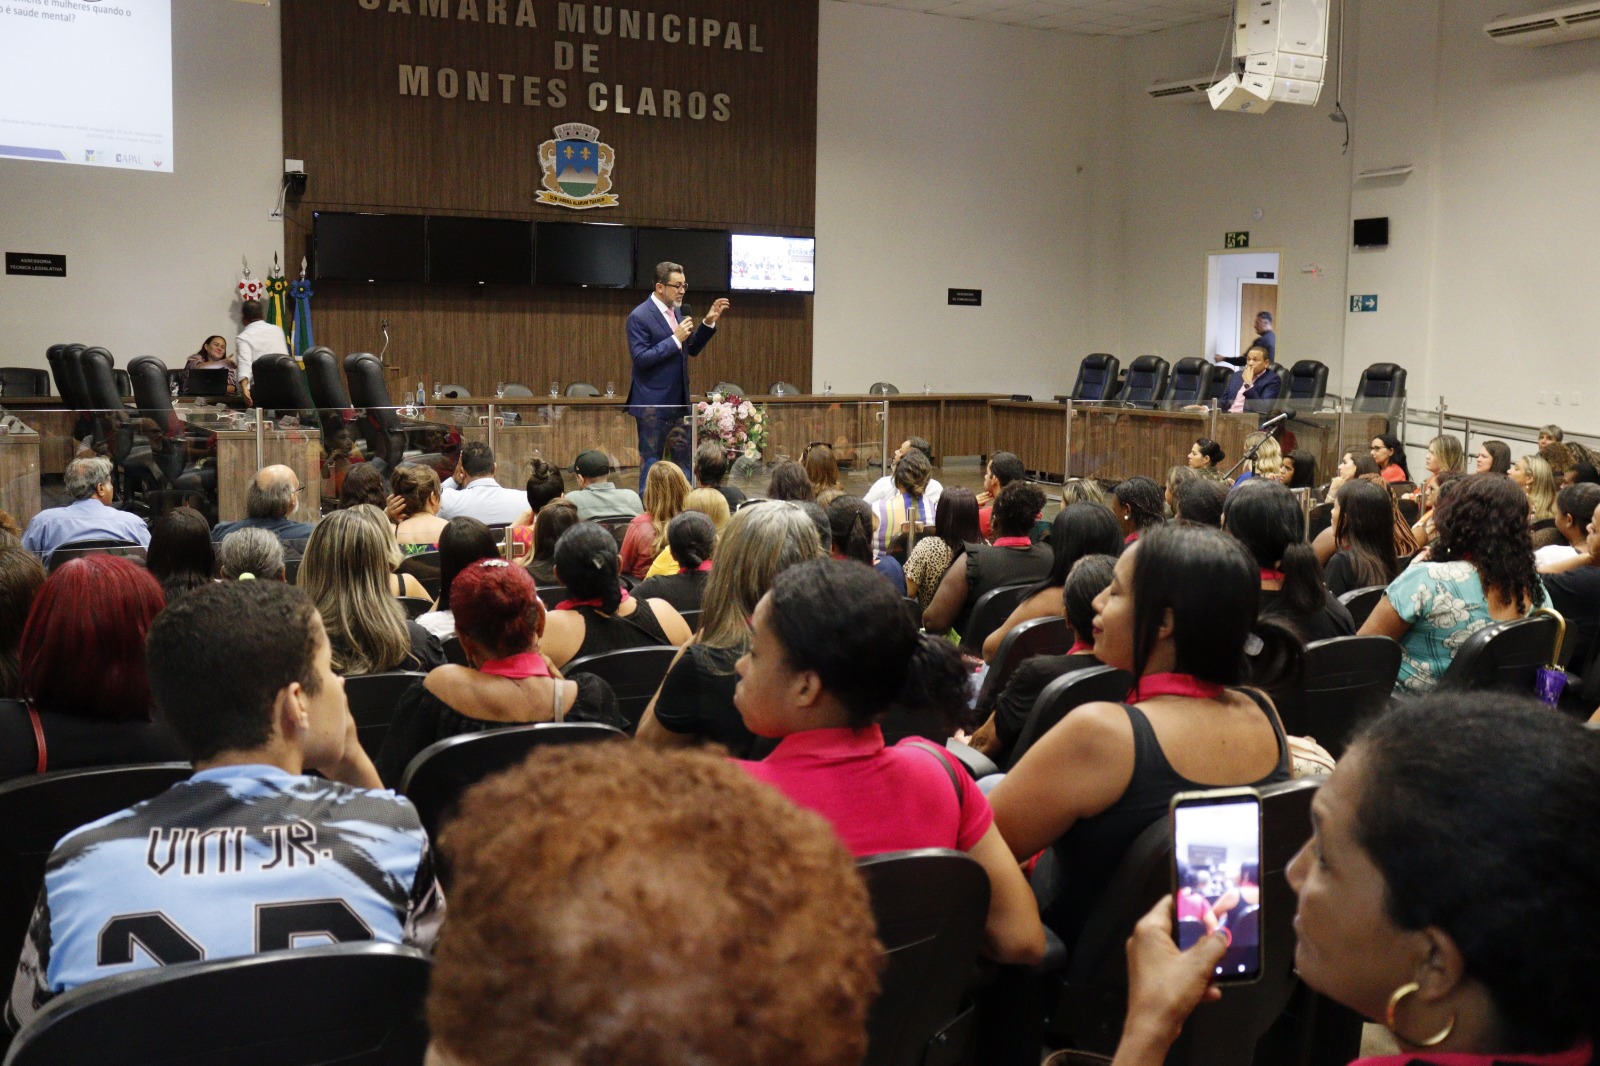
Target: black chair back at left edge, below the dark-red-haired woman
x=38, y=812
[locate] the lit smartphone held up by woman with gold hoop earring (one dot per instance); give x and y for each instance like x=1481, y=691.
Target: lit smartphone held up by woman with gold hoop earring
x=1217, y=876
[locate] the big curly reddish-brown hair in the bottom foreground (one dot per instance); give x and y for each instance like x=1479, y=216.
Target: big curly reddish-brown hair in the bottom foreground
x=622, y=905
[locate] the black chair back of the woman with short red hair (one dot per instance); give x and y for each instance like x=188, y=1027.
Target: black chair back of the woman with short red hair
x=444, y=771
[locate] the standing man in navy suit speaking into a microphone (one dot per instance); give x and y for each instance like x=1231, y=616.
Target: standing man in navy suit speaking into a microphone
x=660, y=337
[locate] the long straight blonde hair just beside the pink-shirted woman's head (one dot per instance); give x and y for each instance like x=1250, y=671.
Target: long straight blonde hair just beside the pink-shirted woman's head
x=761, y=542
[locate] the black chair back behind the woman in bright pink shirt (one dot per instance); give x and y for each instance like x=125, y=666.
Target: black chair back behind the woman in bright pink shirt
x=930, y=910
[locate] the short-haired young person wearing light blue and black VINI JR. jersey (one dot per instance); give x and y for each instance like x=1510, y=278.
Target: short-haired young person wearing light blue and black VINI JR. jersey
x=252, y=735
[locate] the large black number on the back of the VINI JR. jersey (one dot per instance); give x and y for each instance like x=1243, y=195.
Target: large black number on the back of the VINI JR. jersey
x=278, y=926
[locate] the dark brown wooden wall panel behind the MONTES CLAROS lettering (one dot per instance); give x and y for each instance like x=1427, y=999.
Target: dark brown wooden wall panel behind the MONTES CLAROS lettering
x=370, y=148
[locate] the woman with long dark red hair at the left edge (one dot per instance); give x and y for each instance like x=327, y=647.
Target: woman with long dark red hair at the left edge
x=81, y=671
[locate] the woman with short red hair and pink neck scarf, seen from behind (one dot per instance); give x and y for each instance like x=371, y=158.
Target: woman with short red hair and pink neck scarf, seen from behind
x=506, y=683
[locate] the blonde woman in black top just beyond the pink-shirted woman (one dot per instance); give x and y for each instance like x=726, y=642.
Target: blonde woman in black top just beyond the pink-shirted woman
x=697, y=699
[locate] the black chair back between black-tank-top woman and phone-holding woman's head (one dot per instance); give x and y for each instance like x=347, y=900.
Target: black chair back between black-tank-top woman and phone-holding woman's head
x=1345, y=681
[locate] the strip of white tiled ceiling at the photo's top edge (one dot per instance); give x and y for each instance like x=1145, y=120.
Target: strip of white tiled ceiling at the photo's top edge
x=1090, y=18
